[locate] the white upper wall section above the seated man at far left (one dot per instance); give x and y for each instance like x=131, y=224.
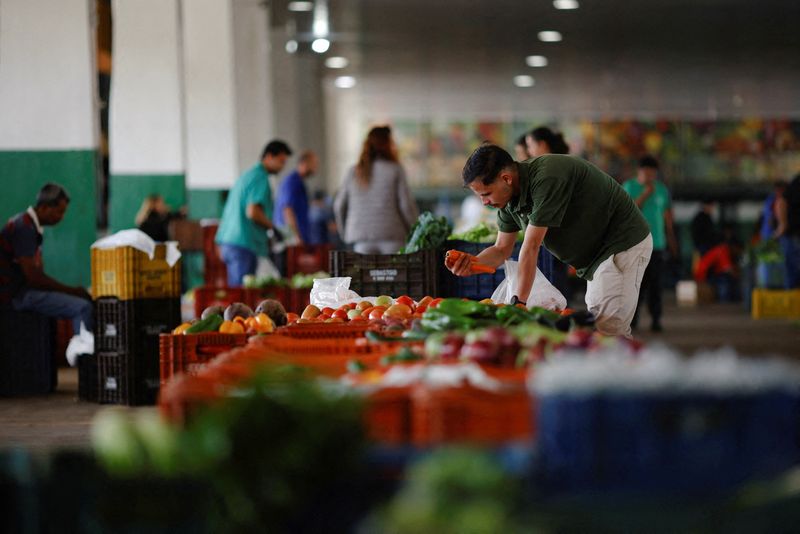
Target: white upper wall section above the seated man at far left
x=47, y=99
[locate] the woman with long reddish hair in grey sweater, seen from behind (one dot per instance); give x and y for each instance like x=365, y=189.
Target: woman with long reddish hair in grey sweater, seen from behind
x=374, y=208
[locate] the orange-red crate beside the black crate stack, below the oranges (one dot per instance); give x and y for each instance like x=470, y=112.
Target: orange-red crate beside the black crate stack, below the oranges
x=187, y=353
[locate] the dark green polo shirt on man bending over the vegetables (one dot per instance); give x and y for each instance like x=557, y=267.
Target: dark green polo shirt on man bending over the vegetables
x=587, y=214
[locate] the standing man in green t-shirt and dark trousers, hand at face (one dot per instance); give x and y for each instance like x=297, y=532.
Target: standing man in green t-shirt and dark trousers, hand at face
x=653, y=198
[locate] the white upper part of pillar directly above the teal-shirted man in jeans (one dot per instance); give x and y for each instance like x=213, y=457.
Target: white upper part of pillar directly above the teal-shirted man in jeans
x=212, y=159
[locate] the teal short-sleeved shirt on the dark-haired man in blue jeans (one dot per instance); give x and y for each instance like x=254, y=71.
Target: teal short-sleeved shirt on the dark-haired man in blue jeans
x=235, y=228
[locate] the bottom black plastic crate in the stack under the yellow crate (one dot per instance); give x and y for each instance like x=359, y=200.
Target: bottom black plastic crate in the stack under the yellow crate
x=127, y=379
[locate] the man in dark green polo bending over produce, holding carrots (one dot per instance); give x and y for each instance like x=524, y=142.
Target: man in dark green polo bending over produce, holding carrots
x=580, y=213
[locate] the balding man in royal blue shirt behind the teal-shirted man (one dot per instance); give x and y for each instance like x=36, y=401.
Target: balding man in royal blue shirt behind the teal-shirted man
x=291, y=209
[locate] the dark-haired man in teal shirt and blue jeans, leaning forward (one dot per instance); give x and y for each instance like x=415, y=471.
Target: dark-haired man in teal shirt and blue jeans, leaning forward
x=247, y=216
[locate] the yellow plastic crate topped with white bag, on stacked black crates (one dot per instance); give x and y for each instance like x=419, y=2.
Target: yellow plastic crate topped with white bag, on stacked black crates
x=127, y=273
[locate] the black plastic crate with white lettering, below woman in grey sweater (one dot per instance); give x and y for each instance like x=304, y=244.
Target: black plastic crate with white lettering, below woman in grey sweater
x=415, y=275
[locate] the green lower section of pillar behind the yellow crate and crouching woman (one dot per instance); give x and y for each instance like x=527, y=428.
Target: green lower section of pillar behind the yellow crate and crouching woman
x=126, y=193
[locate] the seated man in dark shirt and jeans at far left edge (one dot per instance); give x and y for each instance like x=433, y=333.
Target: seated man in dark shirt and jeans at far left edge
x=23, y=282
